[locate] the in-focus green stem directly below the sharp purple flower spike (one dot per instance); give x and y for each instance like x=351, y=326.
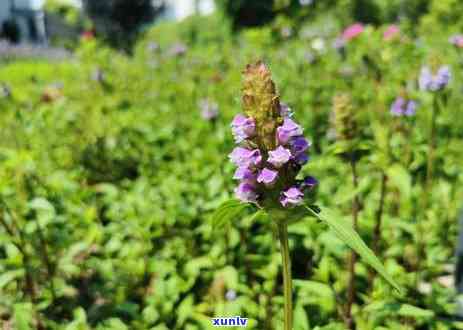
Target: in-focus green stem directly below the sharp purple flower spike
x=287, y=286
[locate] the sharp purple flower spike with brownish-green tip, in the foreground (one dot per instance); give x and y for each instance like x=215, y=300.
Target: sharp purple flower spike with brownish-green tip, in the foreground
x=271, y=147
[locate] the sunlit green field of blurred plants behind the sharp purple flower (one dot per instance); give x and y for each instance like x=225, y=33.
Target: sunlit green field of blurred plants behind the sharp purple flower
x=113, y=167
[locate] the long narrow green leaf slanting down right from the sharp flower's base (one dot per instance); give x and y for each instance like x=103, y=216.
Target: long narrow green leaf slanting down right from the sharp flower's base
x=348, y=235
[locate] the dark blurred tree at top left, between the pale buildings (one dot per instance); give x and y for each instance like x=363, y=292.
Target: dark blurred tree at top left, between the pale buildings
x=120, y=21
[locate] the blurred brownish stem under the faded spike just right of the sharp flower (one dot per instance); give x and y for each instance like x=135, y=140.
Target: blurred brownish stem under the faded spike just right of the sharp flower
x=351, y=289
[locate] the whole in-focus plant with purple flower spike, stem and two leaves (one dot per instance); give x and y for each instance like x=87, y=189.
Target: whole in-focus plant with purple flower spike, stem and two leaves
x=270, y=153
